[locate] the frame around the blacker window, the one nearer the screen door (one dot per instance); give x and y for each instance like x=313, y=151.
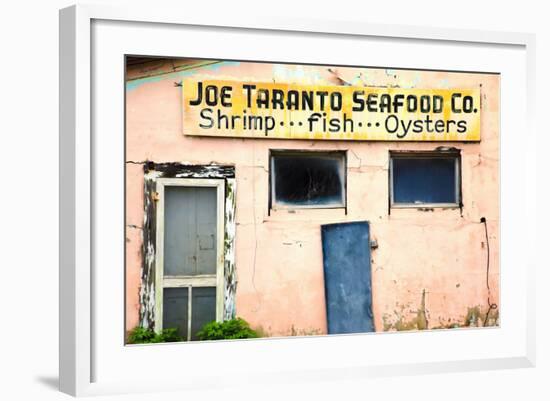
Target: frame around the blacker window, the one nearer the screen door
x=273, y=205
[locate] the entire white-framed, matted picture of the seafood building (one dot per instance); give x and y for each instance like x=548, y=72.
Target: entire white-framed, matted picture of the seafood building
x=303, y=200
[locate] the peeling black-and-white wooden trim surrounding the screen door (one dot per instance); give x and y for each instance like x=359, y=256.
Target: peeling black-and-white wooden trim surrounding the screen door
x=155, y=176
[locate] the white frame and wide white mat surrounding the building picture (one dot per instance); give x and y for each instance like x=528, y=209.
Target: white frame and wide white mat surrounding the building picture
x=89, y=354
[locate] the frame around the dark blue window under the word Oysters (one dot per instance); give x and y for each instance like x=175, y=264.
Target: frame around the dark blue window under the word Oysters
x=436, y=154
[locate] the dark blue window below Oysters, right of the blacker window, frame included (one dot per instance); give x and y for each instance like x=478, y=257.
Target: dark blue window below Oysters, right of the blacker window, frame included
x=432, y=179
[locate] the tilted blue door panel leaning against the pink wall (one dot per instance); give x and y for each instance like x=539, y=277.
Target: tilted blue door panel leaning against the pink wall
x=346, y=263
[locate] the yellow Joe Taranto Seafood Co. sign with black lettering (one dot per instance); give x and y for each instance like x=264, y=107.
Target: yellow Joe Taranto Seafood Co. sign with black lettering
x=292, y=111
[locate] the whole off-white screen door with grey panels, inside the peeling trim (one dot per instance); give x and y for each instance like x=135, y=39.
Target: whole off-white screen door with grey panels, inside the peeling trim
x=190, y=249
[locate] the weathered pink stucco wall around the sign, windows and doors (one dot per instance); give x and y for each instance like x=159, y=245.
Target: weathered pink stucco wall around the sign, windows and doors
x=429, y=267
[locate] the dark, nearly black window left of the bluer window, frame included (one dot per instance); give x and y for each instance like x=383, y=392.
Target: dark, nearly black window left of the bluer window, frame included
x=308, y=179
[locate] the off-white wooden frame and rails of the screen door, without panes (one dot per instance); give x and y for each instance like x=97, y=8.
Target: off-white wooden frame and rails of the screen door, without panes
x=186, y=281
